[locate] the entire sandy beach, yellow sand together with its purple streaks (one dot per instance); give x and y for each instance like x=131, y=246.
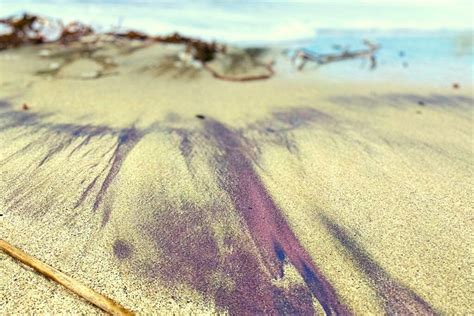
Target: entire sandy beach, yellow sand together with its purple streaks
x=285, y=195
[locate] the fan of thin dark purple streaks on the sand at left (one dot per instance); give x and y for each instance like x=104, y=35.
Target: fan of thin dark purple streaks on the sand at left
x=59, y=138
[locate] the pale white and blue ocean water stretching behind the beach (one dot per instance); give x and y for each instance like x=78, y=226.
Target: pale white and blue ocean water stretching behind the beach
x=420, y=40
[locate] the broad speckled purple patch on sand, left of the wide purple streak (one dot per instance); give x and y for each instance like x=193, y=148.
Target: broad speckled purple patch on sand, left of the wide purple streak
x=234, y=280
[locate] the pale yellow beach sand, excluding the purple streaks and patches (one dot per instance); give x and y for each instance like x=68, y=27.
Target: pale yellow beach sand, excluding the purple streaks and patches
x=398, y=177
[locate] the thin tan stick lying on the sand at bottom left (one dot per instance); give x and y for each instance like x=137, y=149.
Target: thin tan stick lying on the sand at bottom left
x=80, y=289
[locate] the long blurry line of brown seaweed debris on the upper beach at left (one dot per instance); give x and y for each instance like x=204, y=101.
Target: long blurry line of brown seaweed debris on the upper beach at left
x=28, y=29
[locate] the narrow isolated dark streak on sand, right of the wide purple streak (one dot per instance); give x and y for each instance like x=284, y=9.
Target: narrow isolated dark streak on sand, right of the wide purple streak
x=397, y=299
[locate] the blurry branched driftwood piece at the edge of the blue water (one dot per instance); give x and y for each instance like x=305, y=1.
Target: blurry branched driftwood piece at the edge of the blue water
x=301, y=57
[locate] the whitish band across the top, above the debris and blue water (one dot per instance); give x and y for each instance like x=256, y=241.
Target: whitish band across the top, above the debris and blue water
x=254, y=20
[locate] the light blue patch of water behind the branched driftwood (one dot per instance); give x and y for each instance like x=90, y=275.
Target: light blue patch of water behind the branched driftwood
x=437, y=57
